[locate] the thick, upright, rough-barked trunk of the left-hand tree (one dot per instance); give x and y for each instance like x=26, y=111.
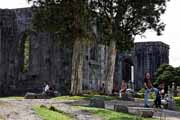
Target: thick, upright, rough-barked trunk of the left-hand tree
x=77, y=64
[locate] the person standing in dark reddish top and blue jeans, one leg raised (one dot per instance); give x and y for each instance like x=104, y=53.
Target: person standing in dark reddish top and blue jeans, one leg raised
x=148, y=88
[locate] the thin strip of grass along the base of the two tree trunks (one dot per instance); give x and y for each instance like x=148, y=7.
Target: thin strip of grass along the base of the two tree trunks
x=87, y=97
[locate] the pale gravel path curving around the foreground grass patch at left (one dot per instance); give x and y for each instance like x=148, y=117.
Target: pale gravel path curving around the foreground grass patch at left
x=22, y=109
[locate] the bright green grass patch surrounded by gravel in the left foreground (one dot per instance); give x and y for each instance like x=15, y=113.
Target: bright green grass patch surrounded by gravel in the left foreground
x=47, y=114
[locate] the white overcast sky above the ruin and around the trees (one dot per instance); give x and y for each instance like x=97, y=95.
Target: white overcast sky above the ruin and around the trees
x=170, y=36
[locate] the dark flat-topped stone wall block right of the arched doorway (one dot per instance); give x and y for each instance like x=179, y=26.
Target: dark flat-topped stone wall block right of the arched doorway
x=147, y=58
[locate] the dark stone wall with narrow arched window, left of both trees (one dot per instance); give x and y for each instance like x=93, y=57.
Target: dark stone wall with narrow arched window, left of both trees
x=47, y=60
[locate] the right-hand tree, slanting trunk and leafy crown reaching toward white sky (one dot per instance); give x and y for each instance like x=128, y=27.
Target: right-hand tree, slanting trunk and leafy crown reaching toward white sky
x=121, y=21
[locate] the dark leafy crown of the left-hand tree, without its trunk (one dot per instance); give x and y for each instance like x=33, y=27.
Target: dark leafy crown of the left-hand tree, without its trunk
x=64, y=18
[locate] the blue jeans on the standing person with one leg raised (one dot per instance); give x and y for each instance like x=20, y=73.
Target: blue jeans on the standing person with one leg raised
x=146, y=94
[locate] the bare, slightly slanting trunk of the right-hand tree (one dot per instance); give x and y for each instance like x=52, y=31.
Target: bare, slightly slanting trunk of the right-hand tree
x=110, y=67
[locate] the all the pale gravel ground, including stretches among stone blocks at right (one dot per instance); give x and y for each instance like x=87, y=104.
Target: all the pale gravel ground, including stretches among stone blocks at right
x=11, y=109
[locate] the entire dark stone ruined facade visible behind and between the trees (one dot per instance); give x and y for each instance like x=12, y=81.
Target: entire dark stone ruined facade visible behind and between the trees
x=28, y=59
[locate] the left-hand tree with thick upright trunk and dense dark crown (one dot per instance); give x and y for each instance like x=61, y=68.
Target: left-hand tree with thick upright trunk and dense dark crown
x=68, y=20
